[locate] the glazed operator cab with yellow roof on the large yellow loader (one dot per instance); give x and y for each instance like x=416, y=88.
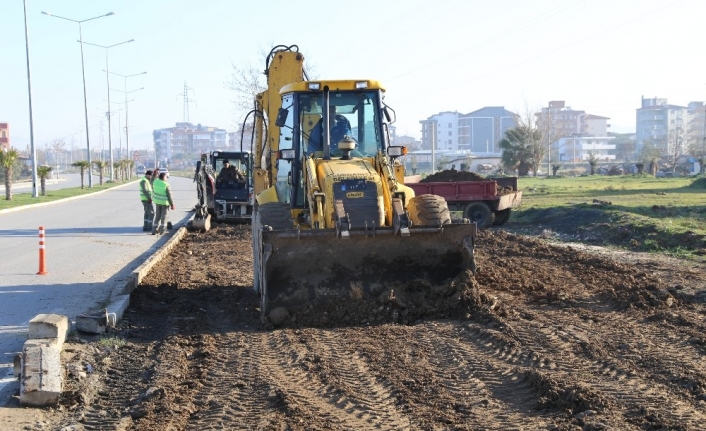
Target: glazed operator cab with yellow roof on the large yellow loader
x=358, y=127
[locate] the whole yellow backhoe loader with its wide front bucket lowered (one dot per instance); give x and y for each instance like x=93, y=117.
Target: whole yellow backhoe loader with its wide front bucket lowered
x=333, y=220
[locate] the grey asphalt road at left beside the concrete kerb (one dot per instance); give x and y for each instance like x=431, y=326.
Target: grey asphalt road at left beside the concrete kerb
x=92, y=244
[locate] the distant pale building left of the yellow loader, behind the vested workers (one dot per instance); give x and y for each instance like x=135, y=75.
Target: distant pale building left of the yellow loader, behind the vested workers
x=188, y=141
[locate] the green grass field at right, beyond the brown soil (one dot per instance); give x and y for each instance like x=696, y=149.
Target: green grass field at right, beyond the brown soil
x=662, y=215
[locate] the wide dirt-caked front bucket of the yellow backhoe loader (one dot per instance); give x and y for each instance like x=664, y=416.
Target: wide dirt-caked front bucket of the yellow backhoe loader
x=300, y=268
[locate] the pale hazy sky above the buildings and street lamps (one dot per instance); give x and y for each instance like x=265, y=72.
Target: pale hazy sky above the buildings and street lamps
x=600, y=56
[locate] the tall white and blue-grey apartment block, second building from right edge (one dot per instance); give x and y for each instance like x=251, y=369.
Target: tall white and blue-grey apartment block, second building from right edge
x=656, y=119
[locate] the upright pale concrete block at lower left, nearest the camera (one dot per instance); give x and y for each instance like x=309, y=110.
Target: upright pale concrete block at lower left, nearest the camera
x=41, y=379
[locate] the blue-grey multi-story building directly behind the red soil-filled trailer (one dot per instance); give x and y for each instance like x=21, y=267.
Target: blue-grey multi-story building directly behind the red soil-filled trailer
x=481, y=131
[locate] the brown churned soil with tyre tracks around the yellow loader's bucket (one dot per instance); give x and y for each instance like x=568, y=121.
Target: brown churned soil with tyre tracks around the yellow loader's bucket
x=542, y=337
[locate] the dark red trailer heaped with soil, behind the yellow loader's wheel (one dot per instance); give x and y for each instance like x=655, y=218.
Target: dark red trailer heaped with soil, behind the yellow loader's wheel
x=486, y=201
